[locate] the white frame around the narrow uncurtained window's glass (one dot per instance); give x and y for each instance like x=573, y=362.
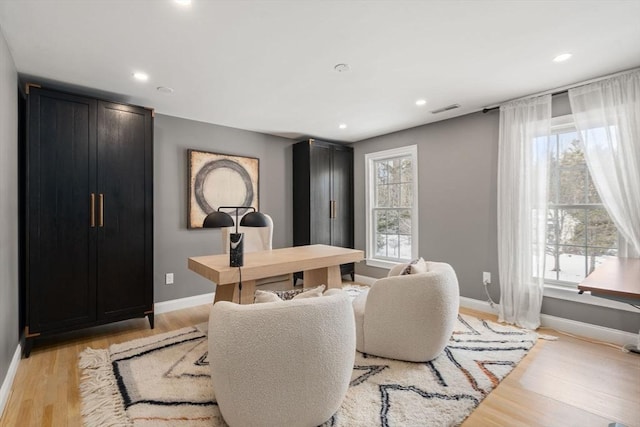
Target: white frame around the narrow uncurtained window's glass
x=370, y=186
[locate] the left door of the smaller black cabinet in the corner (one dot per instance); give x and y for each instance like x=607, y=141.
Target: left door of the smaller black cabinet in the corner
x=320, y=194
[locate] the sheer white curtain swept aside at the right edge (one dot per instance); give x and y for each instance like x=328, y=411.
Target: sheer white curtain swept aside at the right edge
x=607, y=116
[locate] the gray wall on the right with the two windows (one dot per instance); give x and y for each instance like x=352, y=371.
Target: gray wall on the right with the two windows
x=457, y=207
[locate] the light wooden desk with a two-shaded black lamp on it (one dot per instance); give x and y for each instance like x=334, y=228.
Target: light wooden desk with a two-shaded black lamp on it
x=320, y=264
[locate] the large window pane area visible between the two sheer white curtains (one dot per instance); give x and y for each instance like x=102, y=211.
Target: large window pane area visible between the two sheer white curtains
x=579, y=230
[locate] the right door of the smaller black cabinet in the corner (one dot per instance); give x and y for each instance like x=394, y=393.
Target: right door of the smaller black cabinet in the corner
x=342, y=195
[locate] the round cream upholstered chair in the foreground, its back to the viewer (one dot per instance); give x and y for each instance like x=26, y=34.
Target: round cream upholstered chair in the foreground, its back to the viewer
x=286, y=363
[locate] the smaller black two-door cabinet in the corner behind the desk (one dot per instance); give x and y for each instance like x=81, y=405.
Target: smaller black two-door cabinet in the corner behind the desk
x=323, y=195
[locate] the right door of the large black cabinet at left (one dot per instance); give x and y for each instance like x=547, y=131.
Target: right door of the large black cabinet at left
x=125, y=240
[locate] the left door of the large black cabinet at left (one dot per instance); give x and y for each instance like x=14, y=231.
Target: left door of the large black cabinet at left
x=60, y=247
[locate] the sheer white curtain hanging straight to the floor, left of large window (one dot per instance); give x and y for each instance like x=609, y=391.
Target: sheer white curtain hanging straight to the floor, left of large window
x=522, y=208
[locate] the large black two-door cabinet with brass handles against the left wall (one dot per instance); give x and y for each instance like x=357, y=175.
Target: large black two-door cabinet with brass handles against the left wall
x=88, y=206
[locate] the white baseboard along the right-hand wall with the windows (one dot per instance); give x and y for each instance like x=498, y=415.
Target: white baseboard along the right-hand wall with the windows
x=586, y=330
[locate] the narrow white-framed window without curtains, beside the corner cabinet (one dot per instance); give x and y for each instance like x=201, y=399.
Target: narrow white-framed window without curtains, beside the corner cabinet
x=392, y=206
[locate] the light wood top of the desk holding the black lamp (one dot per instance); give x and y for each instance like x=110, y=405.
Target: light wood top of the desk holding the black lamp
x=273, y=262
